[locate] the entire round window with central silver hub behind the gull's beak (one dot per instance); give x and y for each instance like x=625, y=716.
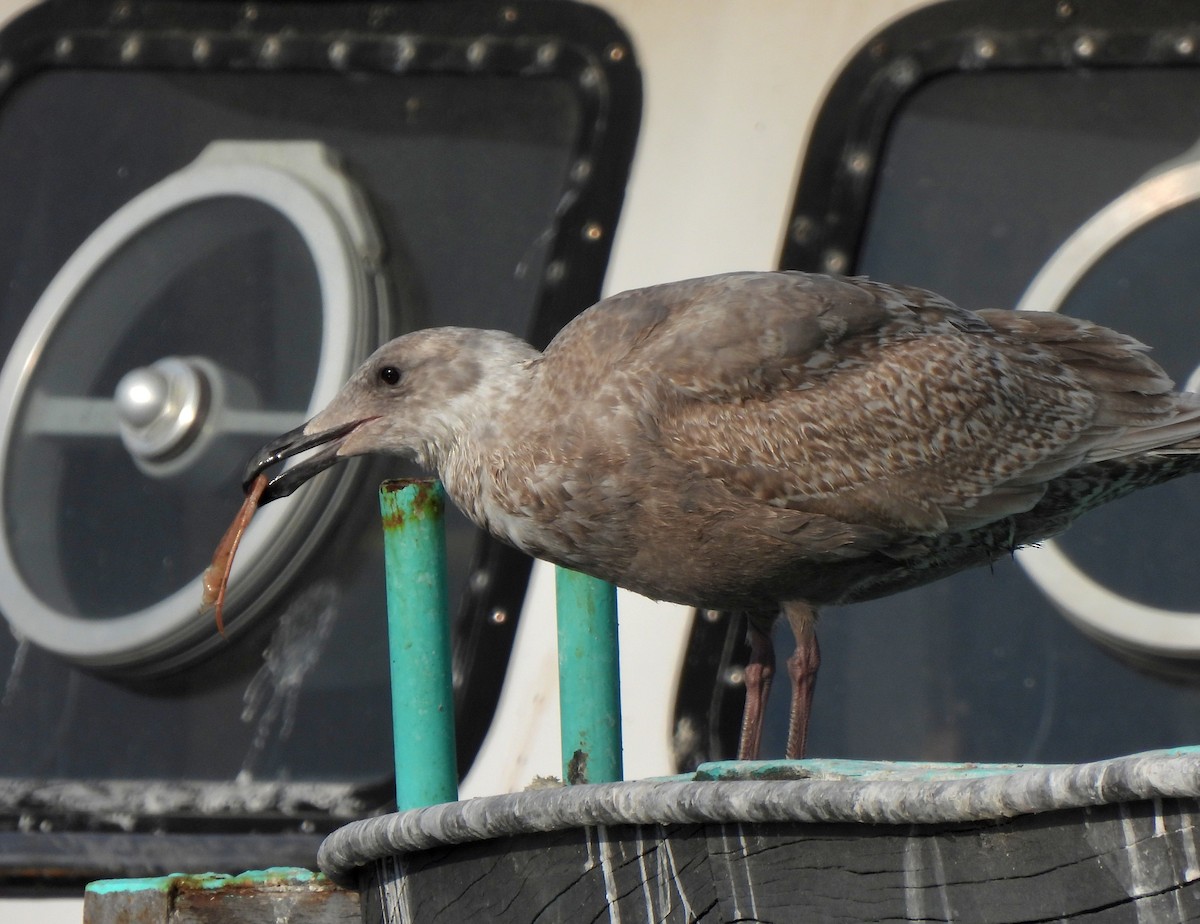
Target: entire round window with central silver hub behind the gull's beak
x=220, y=308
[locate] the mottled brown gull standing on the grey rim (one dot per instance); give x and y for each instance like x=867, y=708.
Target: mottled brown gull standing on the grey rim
x=767, y=442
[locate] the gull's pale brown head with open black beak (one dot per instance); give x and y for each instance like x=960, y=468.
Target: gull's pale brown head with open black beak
x=411, y=398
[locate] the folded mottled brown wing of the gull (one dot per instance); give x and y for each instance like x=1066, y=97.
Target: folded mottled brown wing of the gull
x=879, y=406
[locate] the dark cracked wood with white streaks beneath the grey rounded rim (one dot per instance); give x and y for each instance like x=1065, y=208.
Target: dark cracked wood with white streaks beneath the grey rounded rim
x=1132, y=862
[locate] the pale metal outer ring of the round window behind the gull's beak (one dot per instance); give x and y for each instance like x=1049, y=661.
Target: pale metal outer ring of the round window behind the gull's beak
x=297, y=179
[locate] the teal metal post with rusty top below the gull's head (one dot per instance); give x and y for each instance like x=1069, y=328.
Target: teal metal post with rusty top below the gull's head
x=419, y=643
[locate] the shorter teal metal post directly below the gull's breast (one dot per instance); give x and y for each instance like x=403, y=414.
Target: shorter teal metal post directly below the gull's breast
x=589, y=679
